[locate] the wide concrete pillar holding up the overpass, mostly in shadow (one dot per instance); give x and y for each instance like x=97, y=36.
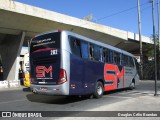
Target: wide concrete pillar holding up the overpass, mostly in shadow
x=10, y=50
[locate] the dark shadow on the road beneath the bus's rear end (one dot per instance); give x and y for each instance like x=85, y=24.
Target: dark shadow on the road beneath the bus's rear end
x=54, y=99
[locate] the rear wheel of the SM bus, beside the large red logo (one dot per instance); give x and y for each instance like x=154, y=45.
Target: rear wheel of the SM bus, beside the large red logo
x=98, y=93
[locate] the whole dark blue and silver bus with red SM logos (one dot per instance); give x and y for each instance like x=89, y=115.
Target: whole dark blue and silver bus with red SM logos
x=65, y=63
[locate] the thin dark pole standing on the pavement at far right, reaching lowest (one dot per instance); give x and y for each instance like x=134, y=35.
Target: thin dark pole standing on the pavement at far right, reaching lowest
x=155, y=57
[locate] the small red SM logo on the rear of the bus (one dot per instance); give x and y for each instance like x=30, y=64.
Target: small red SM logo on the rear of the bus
x=42, y=71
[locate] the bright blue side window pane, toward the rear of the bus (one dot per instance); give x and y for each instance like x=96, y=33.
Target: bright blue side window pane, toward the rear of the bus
x=84, y=50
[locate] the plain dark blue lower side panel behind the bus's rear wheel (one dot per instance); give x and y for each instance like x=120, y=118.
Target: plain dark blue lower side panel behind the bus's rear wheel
x=83, y=75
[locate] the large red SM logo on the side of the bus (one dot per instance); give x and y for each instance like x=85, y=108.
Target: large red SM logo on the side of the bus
x=113, y=76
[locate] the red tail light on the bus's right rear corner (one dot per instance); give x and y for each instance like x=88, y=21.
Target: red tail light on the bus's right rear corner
x=63, y=77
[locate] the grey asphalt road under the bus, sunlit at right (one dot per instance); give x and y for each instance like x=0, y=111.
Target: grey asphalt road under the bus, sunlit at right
x=140, y=99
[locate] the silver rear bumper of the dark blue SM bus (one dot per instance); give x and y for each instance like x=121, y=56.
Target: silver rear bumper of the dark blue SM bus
x=49, y=89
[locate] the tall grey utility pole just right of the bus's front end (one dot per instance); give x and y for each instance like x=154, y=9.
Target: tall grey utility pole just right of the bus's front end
x=140, y=40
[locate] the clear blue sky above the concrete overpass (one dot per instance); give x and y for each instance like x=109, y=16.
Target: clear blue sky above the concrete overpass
x=120, y=14
